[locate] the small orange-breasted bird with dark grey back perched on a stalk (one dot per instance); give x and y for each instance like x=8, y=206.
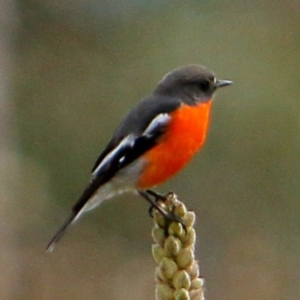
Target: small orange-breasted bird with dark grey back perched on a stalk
x=154, y=141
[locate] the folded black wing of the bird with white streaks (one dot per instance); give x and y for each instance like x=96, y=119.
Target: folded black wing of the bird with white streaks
x=137, y=133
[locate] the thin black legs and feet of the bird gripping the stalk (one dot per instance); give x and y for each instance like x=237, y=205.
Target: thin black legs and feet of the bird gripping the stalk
x=170, y=217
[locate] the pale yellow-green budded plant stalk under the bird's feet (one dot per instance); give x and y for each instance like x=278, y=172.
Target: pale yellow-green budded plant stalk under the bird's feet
x=177, y=274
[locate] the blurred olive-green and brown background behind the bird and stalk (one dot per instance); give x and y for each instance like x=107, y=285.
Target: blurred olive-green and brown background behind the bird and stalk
x=70, y=70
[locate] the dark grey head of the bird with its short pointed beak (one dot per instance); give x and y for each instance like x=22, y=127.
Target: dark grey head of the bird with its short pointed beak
x=192, y=83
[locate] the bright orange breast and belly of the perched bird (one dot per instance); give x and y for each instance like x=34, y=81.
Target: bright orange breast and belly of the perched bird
x=184, y=137
